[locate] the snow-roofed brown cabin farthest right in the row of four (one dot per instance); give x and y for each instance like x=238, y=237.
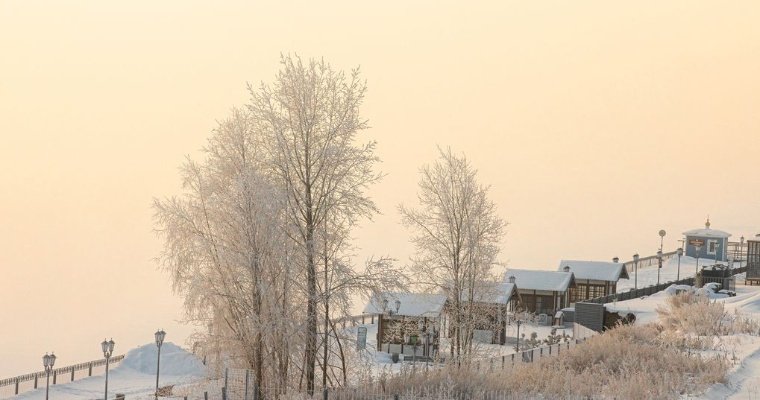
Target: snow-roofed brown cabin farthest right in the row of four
x=593, y=278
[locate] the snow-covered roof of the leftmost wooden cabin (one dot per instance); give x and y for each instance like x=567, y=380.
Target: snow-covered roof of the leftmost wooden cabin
x=411, y=304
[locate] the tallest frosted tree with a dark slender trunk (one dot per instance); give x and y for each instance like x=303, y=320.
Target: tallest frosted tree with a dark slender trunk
x=310, y=119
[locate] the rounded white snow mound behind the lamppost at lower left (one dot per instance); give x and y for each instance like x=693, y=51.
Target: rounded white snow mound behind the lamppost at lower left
x=174, y=361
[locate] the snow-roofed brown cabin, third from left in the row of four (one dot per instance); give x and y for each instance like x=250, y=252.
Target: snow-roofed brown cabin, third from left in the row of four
x=541, y=292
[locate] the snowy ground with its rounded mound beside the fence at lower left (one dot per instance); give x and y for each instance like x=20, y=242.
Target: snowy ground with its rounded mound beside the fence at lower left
x=135, y=376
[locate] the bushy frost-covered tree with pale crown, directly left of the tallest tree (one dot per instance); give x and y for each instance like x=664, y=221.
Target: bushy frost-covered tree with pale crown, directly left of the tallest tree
x=227, y=254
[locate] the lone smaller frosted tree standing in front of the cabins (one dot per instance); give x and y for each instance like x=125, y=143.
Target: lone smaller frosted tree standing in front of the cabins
x=456, y=231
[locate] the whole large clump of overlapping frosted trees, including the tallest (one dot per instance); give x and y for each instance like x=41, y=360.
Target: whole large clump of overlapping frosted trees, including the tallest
x=263, y=226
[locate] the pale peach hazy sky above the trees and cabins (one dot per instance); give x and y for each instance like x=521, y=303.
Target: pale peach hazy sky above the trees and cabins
x=596, y=124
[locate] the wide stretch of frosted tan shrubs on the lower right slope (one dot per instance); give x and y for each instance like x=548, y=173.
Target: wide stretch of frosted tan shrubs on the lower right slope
x=628, y=362
